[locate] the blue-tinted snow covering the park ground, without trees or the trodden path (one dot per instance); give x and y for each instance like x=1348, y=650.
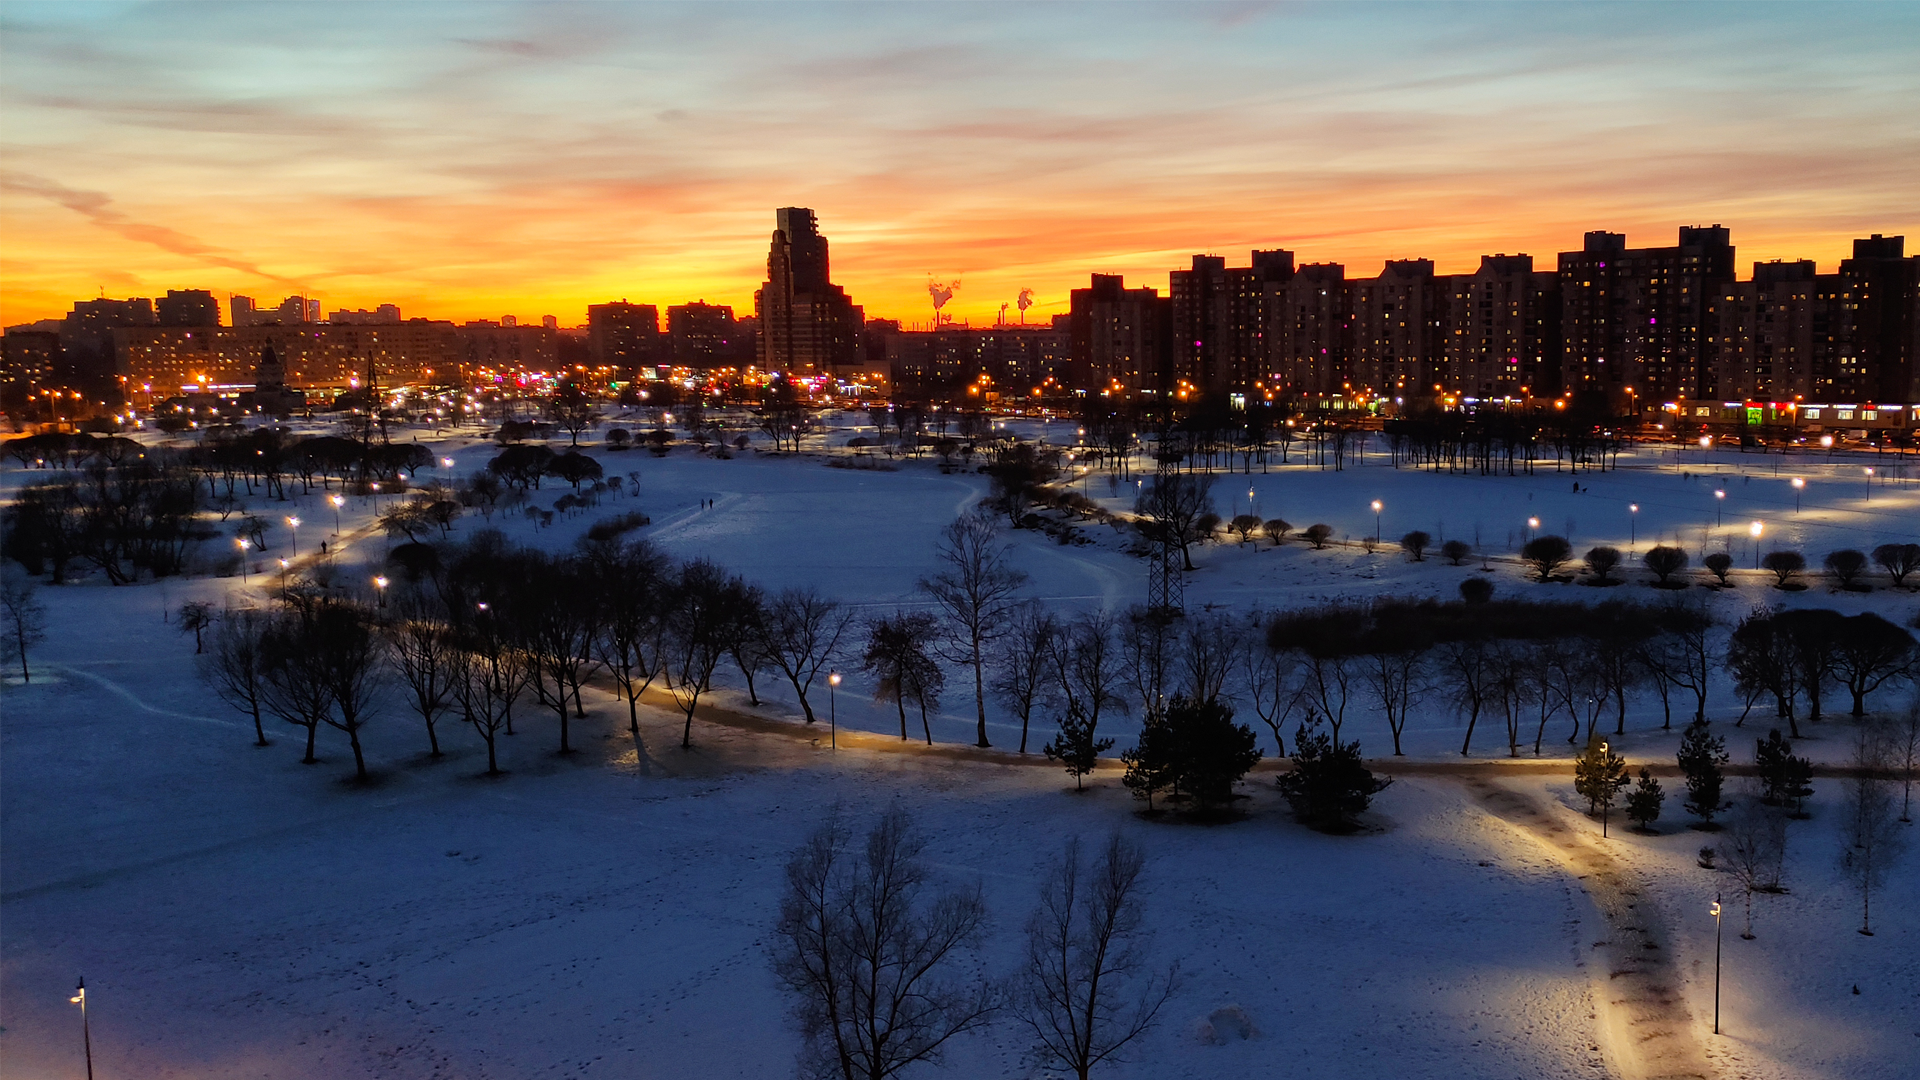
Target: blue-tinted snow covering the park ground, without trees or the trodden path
x=608, y=916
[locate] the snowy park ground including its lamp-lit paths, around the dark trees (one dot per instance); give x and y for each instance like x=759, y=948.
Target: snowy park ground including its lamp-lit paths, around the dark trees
x=612, y=912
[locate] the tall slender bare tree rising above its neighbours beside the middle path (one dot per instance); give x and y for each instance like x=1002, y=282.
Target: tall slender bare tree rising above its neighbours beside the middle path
x=976, y=591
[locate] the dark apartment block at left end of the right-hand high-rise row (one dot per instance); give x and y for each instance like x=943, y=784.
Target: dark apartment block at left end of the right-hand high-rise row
x=1120, y=339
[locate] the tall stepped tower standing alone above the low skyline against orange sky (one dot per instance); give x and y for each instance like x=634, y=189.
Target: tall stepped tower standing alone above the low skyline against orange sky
x=809, y=326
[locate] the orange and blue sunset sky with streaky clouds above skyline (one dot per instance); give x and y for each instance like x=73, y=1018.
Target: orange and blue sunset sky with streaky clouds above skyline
x=481, y=160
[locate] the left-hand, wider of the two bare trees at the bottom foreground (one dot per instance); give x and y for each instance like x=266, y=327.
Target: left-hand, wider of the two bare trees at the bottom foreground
x=867, y=956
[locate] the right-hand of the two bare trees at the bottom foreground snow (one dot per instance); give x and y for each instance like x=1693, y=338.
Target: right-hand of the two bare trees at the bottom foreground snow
x=1084, y=985
